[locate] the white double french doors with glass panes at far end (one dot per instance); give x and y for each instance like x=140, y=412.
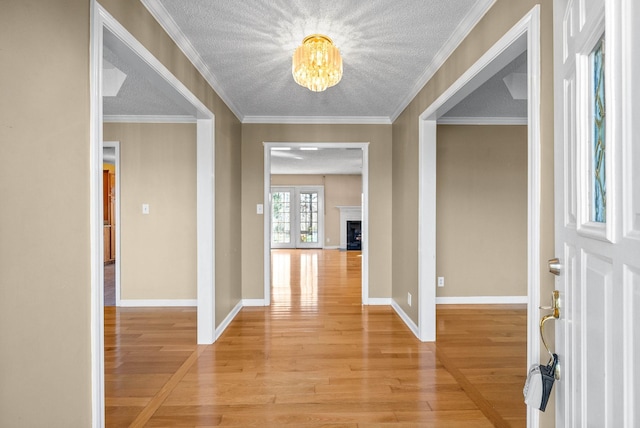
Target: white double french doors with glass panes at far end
x=297, y=217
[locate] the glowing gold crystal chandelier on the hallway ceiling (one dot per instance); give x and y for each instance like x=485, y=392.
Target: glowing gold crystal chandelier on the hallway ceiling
x=317, y=64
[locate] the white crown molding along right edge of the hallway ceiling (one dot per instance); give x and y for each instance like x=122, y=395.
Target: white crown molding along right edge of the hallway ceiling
x=461, y=32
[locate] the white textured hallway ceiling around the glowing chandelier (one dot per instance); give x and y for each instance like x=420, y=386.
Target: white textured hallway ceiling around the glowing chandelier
x=389, y=51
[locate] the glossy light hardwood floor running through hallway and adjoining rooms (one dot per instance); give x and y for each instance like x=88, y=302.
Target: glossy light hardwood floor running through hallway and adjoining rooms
x=316, y=358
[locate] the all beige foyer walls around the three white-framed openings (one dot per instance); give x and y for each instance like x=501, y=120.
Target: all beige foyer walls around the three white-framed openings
x=44, y=250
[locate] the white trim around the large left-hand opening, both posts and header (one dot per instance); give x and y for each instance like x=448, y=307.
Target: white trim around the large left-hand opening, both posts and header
x=101, y=20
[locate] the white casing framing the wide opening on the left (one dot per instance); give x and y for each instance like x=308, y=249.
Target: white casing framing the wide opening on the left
x=106, y=29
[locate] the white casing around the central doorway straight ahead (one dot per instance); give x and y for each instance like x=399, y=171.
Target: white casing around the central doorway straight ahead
x=267, y=210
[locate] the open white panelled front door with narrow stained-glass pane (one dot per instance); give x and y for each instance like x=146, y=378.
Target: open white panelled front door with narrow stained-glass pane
x=597, y=211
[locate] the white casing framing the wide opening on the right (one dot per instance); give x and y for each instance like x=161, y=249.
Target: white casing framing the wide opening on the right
x=528, y=26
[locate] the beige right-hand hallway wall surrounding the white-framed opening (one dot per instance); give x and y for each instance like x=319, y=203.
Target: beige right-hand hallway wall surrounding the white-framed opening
x=503, y=15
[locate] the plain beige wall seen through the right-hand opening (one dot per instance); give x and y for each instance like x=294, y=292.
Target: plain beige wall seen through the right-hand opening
x=481, y=213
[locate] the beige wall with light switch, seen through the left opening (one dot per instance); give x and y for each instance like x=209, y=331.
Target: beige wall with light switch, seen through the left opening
x=158, y=250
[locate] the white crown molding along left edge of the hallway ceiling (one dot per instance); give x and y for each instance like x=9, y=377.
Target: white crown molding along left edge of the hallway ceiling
x=165, y=20
